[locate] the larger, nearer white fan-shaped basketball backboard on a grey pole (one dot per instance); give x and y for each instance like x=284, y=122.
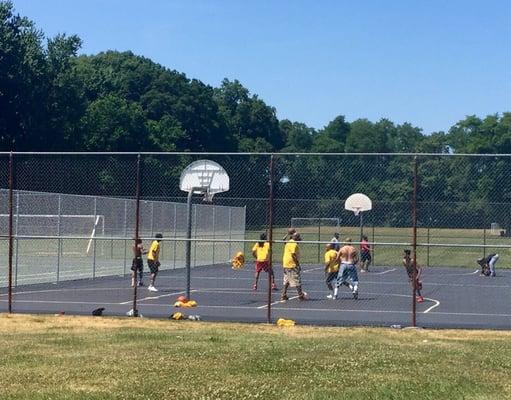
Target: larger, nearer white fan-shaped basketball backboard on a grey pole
x=204, y=176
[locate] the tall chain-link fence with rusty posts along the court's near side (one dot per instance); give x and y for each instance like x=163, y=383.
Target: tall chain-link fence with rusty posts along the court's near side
x=449, y=210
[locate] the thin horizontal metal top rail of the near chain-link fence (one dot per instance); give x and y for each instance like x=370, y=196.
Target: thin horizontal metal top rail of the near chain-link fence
x=190, y=153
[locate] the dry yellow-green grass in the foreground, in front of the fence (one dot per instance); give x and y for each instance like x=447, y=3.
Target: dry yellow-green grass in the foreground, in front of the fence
x=46, y=357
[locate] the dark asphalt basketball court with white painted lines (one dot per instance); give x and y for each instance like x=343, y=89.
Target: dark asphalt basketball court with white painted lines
x=454, y=298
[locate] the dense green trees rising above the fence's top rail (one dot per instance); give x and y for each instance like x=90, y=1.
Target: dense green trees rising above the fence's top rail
x=52, y=99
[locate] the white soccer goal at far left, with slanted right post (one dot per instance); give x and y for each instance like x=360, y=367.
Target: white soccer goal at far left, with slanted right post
x=53, y=225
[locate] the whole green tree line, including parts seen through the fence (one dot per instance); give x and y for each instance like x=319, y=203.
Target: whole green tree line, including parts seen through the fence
x=53, y=99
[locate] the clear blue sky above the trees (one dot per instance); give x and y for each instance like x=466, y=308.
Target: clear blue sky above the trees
x=427, y=62
